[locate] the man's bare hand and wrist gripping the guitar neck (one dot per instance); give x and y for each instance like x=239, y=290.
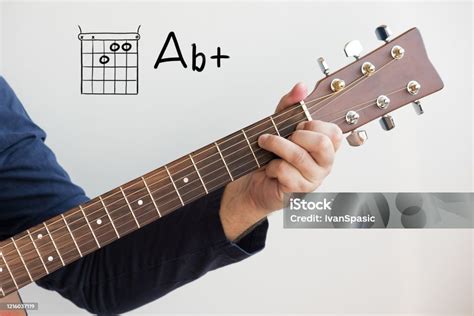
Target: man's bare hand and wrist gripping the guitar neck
x=305, y=159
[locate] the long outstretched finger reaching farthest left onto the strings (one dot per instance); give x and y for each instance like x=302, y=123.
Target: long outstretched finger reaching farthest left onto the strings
x=292, y=153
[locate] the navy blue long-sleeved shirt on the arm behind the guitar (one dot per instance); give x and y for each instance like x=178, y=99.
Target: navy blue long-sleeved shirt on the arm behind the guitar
x=129, y=272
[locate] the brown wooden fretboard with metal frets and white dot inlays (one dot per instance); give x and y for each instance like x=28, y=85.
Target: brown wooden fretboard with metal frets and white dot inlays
x=46, y=247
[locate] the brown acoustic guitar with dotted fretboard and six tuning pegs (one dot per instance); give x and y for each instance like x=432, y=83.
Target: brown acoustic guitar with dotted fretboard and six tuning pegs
x=395, y=74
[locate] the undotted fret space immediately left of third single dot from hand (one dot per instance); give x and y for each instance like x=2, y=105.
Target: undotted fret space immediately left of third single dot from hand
x=81, y=231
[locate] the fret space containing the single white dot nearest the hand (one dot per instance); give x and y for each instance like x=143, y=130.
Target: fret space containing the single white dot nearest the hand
x=186, y=179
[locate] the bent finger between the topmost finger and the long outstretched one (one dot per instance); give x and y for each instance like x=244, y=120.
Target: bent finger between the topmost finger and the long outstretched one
x=319, y=146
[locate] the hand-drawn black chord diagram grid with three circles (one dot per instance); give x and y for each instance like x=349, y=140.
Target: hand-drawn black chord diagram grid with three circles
x=109, y=63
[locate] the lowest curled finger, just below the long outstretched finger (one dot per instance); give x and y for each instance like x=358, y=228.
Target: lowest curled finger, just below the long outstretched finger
x=289, y=178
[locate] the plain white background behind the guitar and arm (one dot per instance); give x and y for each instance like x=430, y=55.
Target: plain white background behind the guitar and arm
x=104, y=141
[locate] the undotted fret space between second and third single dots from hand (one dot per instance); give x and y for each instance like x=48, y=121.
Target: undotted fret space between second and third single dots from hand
x=119, y=211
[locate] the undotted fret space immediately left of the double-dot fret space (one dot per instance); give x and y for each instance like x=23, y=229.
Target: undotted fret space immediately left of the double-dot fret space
x=31, y=258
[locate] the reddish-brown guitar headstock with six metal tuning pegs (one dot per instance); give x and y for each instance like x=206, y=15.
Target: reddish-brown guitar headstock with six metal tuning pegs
x=393, y=75
